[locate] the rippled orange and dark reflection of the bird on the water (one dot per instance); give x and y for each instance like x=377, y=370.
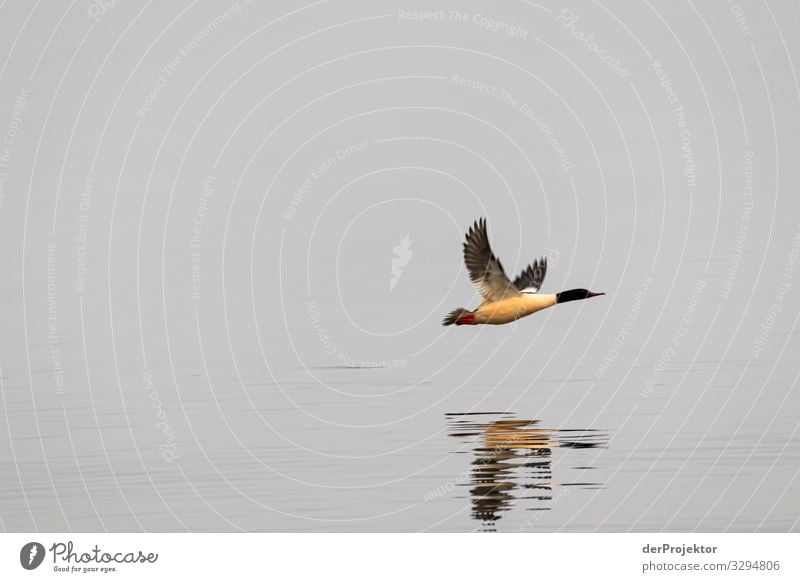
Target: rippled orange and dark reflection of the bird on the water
x=513, y=463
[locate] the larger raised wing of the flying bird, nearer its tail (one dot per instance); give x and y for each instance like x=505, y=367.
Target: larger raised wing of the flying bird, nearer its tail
x=484, y=268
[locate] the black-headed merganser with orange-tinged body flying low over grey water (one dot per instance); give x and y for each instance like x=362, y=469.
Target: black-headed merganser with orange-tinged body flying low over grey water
x=504, y=301
